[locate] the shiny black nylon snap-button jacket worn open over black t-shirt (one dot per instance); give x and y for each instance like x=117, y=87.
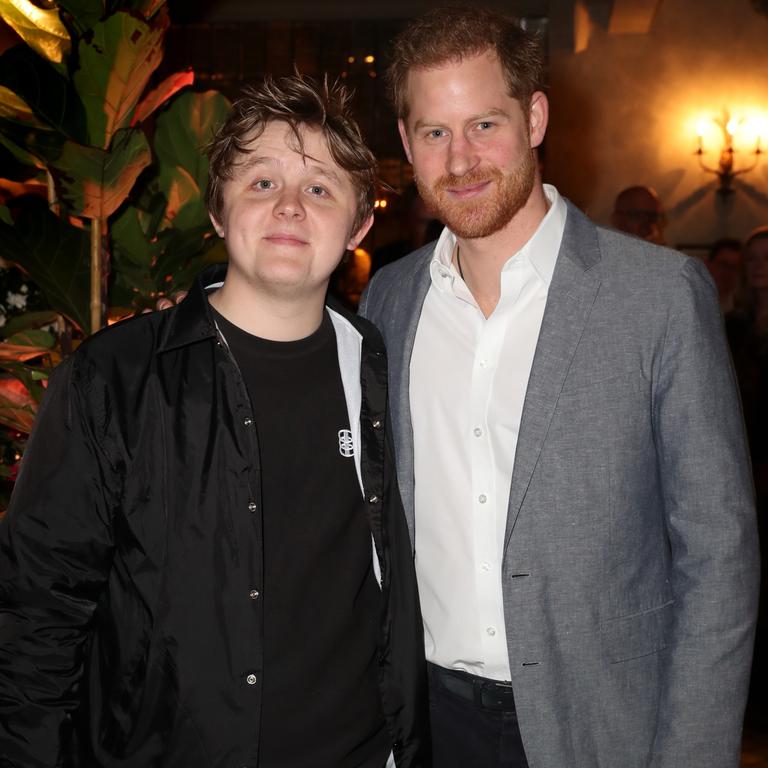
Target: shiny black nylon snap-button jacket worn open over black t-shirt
x=124, y=642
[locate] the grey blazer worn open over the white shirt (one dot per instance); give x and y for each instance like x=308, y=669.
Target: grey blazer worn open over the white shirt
x=630, y=570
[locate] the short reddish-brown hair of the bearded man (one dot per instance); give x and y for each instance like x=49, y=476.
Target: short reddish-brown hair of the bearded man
x=454, y=33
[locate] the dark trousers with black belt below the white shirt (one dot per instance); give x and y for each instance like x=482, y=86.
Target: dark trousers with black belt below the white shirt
x=474, y=724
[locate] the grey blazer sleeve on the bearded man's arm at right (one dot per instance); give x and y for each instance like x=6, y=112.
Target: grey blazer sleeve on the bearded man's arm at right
x=711, y=525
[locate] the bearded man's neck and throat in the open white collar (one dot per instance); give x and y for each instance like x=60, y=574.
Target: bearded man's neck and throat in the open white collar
x=482, y=258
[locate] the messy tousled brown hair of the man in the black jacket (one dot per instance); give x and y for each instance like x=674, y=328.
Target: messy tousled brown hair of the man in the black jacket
x=300, y=102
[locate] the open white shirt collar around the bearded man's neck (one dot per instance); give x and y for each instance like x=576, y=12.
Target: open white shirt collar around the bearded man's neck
x=541, y=249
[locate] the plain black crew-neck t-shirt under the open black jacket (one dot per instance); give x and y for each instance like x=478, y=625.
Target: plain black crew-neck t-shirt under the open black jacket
x=321, y=701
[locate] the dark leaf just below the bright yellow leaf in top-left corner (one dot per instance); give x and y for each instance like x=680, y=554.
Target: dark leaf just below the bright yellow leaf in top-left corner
x=48, y=94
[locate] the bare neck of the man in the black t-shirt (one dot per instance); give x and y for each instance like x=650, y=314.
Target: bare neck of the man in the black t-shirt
x=269, y=316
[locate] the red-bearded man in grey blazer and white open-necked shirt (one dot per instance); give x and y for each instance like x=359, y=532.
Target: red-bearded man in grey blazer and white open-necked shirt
x=569, y=445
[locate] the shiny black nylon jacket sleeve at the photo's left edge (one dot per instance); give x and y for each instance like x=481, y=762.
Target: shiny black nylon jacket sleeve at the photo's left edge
x=55, y=554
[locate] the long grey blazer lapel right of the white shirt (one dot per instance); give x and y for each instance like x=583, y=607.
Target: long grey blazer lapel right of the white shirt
x=571, y=295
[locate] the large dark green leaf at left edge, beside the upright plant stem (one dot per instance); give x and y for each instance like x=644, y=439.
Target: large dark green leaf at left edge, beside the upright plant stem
x=55, y=255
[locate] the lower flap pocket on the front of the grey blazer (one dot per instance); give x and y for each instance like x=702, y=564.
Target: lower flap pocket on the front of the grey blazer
x=639, y=634
